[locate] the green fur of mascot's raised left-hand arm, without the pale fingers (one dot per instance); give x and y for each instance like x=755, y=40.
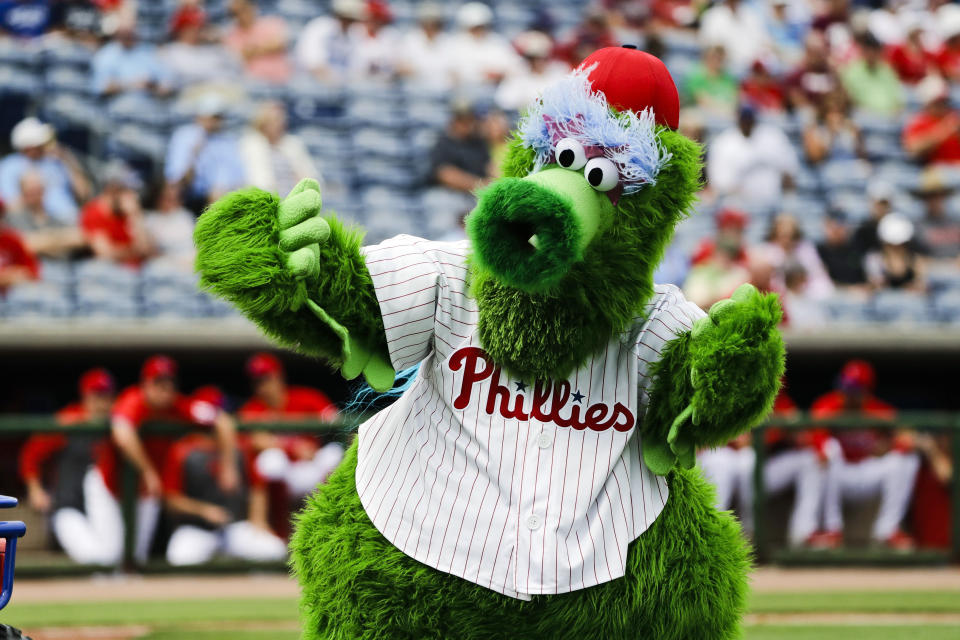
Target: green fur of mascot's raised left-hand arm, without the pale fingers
x=239, y=259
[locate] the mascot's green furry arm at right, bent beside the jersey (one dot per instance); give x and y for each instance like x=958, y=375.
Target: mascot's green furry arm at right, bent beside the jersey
x=714, y=381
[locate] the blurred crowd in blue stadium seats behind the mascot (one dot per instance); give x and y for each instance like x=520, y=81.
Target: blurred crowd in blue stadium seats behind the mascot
x=832, y=143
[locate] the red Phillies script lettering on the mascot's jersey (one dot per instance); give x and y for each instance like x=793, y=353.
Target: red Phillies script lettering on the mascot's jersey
x=477, y=366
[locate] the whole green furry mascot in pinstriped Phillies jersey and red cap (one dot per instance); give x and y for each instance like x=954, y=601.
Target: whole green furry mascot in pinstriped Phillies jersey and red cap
x=536, y=480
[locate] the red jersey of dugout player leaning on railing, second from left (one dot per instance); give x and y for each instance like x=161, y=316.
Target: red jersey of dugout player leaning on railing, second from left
x=131, y=406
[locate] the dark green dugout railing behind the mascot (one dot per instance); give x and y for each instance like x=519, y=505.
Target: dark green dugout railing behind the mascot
x=12, y=426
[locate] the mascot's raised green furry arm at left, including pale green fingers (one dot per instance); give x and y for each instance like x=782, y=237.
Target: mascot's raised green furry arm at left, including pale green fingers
x=298, y=276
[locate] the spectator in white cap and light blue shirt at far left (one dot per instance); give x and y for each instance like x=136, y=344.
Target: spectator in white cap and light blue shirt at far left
x=36, y=149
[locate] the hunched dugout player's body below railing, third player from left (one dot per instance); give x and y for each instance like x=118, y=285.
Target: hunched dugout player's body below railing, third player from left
x=209, y=520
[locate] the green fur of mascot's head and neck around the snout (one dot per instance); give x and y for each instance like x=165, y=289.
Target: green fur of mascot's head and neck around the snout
x=549, y=334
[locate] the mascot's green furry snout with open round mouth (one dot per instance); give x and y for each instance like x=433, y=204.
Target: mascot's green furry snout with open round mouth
x=529, y=231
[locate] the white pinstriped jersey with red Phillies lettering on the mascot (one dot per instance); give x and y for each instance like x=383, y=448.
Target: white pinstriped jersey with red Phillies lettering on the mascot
x=522, y=488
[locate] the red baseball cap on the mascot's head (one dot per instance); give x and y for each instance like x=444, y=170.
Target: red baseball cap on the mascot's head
x=634, y=80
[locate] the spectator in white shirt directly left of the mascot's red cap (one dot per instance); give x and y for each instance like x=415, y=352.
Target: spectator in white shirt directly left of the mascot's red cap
x=523, y=84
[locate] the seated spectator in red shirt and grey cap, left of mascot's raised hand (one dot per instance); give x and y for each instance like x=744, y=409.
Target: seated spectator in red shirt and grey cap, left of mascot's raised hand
x=112, y=222
